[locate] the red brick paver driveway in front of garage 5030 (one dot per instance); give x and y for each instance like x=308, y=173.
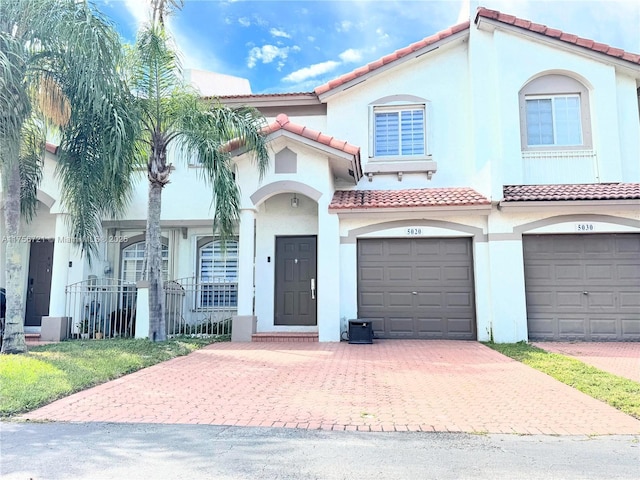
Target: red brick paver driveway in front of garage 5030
x=619, y=358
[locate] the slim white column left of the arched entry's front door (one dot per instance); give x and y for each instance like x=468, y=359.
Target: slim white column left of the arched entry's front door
x=246, y=261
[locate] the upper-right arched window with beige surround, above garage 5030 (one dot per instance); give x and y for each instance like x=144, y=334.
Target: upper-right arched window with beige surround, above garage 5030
x=554, y=114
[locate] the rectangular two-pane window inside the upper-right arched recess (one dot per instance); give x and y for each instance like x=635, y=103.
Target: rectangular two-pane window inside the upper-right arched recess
x=554, y=120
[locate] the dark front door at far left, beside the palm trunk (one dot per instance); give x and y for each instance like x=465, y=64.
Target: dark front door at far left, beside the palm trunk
x=39, y=283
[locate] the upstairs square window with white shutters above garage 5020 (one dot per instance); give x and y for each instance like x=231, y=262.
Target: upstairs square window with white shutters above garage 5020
x=399, y=131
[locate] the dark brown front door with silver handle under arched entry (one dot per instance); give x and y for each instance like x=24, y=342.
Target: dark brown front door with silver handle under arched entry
x=295, y=301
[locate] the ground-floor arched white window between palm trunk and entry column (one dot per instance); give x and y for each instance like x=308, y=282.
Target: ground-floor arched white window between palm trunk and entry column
x=226, y=290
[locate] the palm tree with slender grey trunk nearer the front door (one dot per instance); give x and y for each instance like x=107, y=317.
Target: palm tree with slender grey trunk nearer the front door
x=173, y=115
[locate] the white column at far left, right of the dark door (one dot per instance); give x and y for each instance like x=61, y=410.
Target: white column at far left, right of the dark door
x=60, y=267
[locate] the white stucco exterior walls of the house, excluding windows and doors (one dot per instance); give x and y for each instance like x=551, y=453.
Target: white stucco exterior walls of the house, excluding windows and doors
x=472, y=87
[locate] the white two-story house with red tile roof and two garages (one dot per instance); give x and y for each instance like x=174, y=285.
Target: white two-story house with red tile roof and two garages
x=482, y=183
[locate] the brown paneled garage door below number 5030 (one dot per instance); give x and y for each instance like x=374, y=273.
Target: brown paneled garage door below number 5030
x=583, y=287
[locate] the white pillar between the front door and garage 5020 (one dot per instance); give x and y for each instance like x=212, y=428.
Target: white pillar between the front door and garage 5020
x=328, y=285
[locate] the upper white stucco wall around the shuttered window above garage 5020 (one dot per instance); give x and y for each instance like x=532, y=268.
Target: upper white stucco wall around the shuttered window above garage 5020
x=440, y=77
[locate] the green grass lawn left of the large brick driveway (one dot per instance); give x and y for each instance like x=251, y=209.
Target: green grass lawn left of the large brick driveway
x=49, y=372
